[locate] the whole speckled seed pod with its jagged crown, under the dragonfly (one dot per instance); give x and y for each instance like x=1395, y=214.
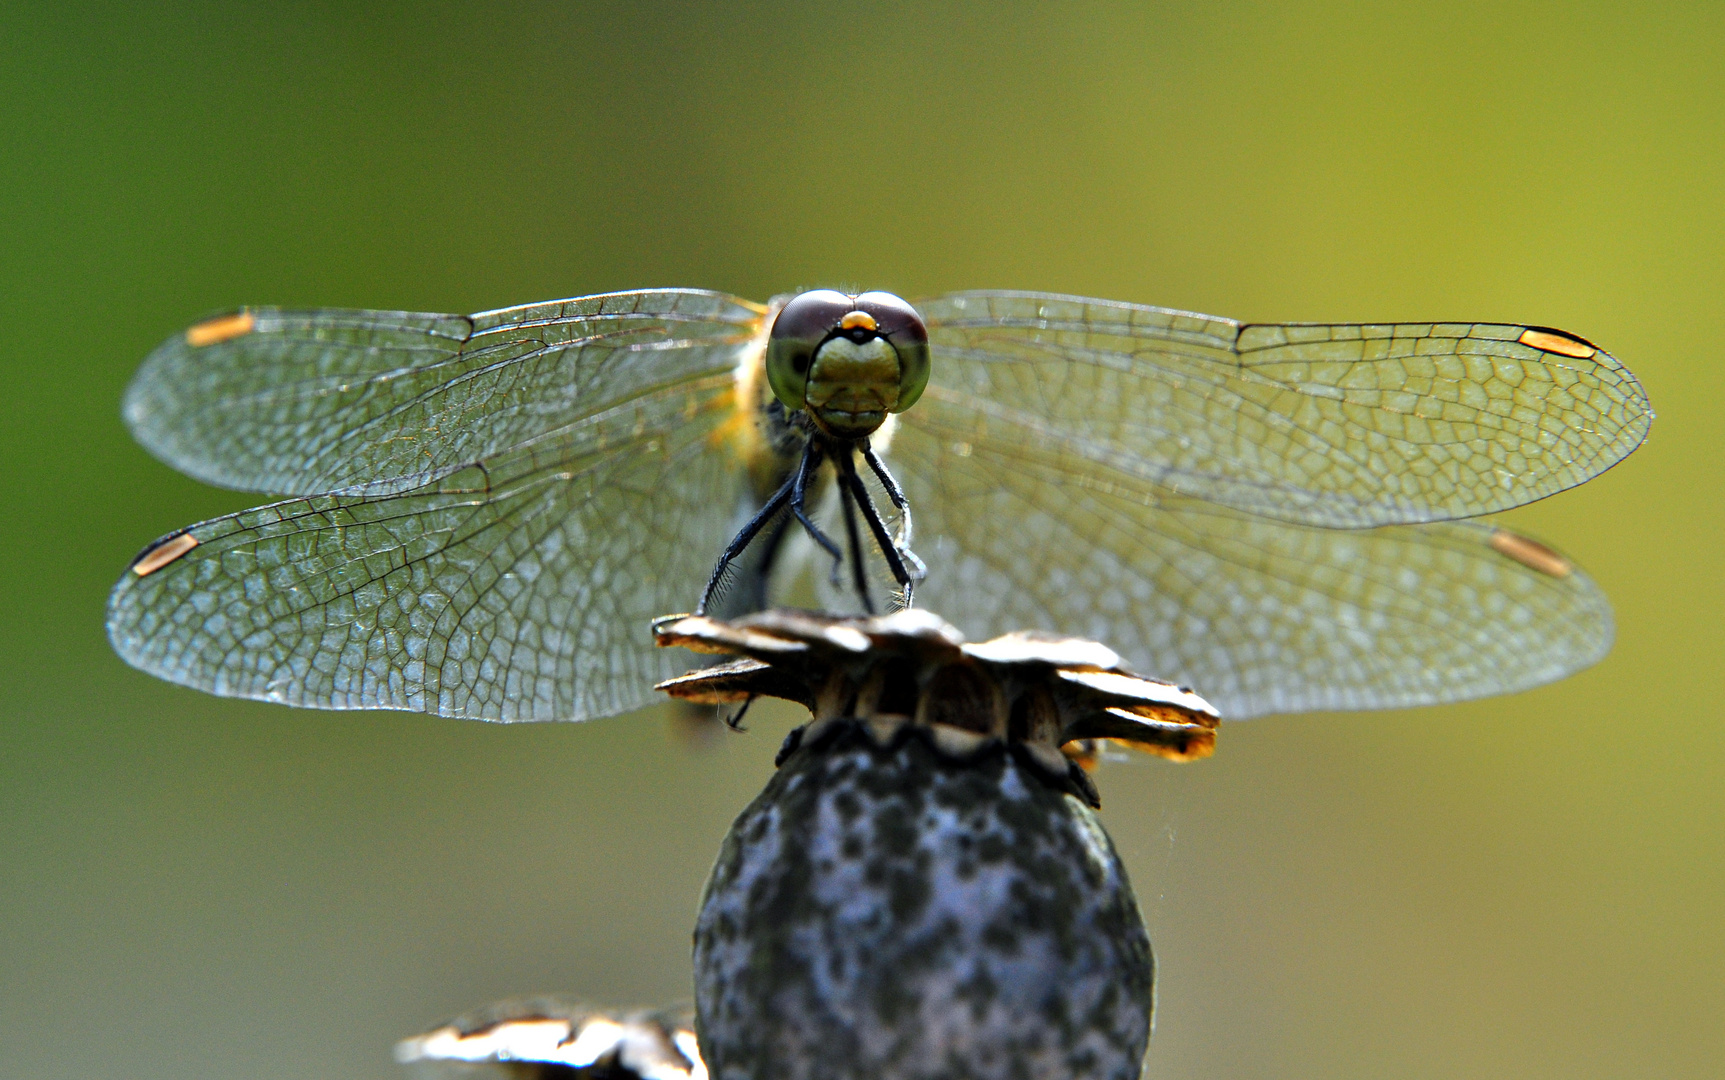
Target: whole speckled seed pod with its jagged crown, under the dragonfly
x=924, y=889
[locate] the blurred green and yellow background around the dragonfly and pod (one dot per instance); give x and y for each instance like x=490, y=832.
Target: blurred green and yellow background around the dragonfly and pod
x=198, y=888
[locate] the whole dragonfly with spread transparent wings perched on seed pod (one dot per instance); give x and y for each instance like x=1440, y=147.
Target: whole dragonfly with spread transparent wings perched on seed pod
x=480, y=517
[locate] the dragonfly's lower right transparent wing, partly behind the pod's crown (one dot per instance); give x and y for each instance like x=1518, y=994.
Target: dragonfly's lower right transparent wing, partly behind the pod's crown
x=1257, y=615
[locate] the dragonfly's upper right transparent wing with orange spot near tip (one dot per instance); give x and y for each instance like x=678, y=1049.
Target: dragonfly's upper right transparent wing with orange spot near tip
x=1348, y=425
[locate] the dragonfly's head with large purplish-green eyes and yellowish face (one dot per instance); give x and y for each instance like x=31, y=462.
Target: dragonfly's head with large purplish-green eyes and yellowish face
x=848, y=360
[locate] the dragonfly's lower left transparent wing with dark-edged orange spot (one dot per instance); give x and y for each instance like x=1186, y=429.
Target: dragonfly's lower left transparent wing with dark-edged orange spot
x=515, y=589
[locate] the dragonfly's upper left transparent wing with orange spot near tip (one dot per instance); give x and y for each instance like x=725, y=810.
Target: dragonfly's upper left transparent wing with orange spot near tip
x=313, y=401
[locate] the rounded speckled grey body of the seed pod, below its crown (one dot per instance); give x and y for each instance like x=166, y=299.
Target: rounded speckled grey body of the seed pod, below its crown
x=893, y=912
